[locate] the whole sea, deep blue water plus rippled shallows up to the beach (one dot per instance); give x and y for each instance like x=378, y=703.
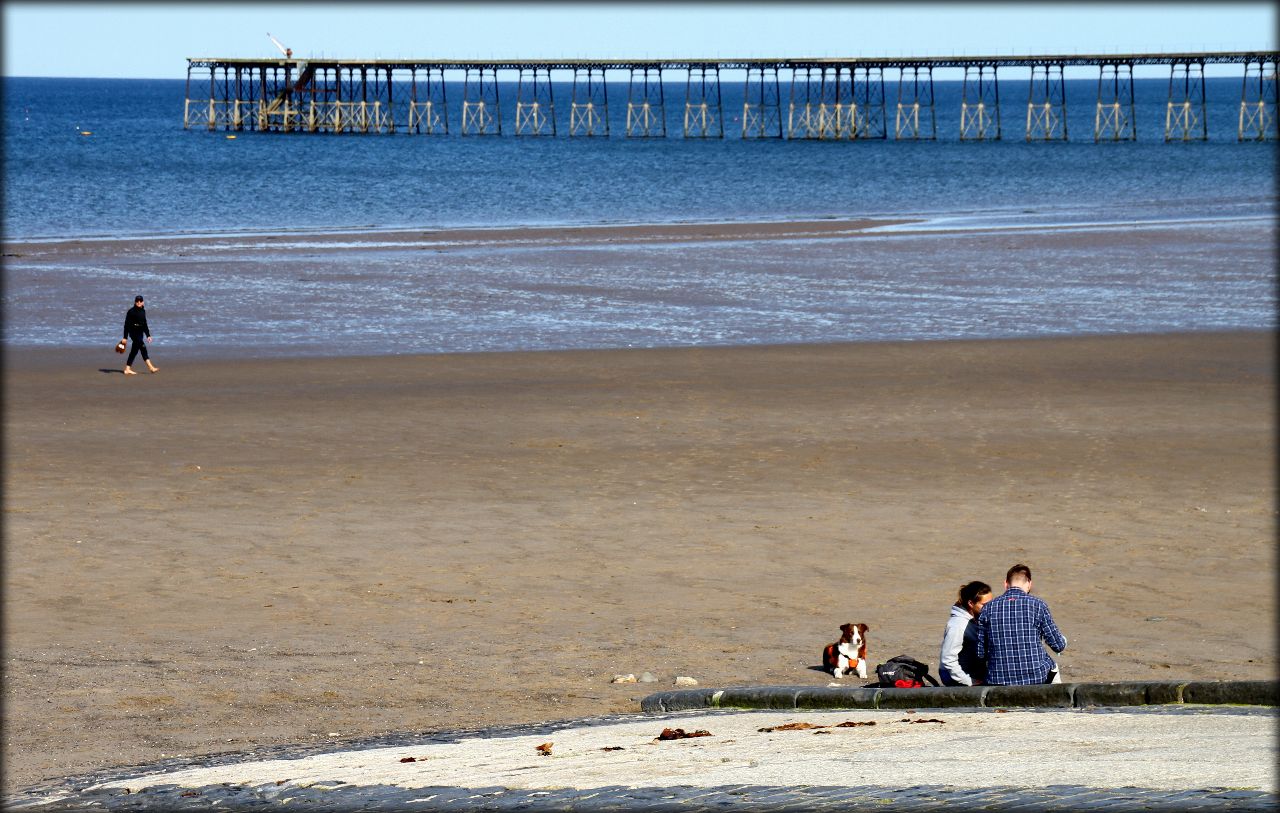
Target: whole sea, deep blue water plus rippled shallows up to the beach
x=111, y=161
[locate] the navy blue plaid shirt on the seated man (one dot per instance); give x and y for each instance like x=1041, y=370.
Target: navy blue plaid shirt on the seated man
x=1011, y=631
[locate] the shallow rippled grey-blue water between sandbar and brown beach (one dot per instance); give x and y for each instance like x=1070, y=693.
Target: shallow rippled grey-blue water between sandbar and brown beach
x=300, y=298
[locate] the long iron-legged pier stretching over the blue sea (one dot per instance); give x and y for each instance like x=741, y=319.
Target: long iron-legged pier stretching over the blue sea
x=785, y=99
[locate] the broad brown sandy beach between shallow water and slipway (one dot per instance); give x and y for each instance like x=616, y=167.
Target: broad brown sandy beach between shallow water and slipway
x=227, y=555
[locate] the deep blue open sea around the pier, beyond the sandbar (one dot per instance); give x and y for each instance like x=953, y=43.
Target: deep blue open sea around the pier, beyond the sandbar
x=141, y=173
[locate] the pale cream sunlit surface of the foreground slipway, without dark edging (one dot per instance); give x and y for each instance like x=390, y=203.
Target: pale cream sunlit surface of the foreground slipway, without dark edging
x=881, y=750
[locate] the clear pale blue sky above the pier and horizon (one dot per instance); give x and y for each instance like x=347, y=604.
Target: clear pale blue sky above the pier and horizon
x=154, y=40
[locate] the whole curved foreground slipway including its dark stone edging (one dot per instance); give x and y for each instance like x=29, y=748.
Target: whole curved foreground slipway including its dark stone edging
x=1081, y=747
